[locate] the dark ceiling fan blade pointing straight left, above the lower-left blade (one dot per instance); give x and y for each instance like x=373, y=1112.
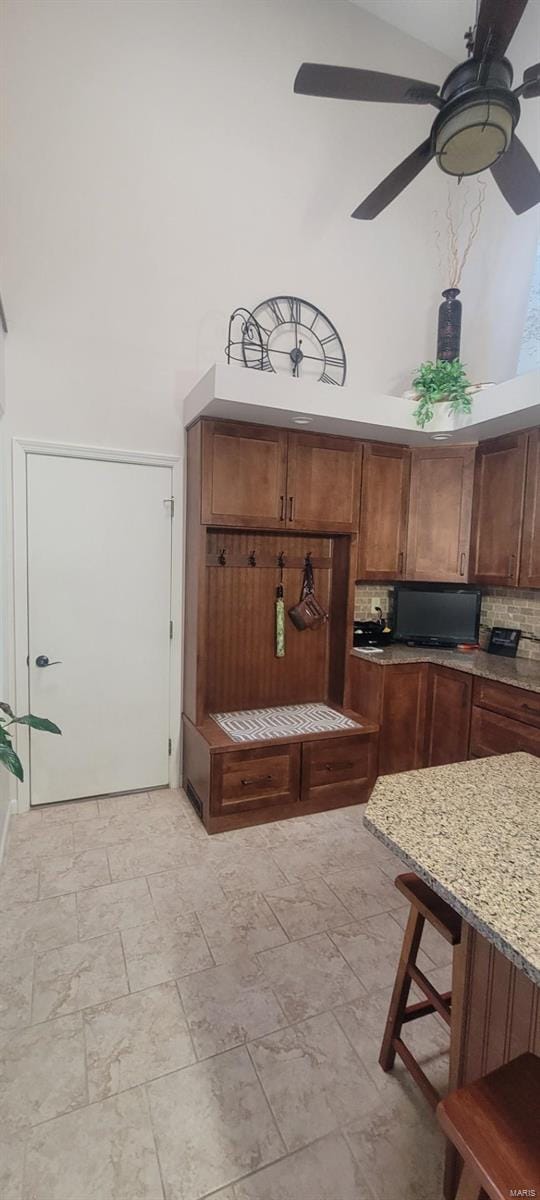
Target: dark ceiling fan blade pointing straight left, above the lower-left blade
x=353, y=83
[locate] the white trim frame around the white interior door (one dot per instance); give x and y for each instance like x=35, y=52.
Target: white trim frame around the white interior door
x=21, y=451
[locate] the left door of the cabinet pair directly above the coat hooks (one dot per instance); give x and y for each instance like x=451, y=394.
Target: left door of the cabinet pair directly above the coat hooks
x=244, y=476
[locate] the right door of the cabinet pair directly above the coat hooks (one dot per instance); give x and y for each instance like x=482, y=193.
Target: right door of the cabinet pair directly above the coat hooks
x=323, y=483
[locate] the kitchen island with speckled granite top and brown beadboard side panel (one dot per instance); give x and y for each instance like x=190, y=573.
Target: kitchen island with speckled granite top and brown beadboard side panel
x=472, y=832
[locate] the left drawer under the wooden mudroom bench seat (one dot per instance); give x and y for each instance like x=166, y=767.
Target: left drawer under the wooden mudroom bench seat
x=255, y=779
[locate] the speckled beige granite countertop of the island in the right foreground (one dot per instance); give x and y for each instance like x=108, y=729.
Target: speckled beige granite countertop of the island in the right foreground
x=472, y=832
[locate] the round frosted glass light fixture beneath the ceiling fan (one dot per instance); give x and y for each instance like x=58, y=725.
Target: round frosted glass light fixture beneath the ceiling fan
x=473, y=137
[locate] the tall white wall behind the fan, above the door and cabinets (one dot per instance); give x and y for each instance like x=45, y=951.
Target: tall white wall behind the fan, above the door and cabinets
x=159, y=171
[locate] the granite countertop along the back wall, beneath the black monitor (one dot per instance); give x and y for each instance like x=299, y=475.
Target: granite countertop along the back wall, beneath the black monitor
x=517, y=673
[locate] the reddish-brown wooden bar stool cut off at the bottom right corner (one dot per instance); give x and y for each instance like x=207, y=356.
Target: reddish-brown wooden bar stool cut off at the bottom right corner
x=495, y=1125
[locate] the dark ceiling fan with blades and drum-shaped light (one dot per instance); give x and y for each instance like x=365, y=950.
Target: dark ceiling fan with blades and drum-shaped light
x=478, y=112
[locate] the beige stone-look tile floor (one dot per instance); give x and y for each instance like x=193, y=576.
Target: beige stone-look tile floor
x=185, y=1017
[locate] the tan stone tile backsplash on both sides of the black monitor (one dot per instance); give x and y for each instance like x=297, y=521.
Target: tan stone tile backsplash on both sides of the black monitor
x=515, y=608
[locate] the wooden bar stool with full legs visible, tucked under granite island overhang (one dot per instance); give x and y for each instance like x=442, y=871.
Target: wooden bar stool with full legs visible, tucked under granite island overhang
x=425, y=905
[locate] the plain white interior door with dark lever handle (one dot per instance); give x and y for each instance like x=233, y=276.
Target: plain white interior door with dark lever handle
x=99, y=584
